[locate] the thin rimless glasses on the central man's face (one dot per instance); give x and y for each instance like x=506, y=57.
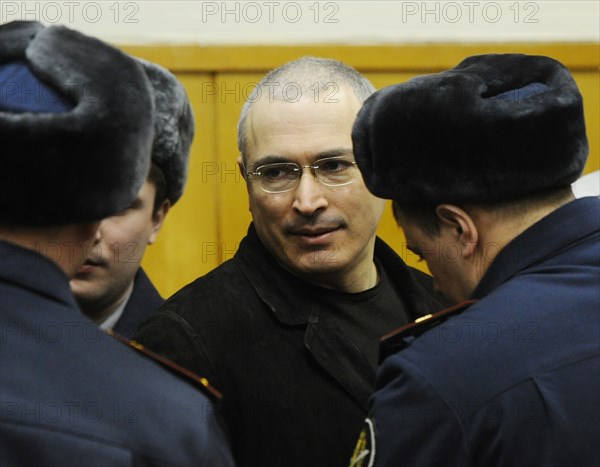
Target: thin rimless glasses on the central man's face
x=280, y=177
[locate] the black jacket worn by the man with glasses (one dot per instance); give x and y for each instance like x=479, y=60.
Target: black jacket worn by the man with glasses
x=295, y=388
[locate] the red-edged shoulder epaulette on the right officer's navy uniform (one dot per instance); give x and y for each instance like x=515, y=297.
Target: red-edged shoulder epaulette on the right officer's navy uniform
x=398, y=339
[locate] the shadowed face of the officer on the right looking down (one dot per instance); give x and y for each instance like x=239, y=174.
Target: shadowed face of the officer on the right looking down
x=443, y=256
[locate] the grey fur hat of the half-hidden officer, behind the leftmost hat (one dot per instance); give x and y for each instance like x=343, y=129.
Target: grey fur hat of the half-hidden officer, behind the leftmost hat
x=173, y=128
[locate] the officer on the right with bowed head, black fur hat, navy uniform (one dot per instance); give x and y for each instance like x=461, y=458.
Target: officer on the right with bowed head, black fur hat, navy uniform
x=479, y=160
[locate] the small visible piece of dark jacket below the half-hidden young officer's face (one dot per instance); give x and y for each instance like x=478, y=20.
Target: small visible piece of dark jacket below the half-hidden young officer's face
x=144, y=299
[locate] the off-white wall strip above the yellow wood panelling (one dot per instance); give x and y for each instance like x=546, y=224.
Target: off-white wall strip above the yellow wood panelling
x=317, y=22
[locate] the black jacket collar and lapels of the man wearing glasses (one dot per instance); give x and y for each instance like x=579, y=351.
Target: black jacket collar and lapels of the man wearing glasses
x=286, y=298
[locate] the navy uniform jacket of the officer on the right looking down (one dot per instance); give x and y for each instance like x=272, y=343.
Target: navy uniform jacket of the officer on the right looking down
x=514, y=380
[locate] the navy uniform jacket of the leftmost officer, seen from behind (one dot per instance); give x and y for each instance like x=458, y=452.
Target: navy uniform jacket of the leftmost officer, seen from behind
x=73, y=396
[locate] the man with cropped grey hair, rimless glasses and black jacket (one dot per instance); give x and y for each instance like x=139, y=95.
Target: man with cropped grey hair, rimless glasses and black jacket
x=288, y=329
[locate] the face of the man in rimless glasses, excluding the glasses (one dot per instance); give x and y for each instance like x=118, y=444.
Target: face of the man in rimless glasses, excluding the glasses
x=318, y=232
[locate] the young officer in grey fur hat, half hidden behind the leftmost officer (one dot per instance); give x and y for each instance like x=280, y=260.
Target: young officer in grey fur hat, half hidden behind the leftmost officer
x=111, y=287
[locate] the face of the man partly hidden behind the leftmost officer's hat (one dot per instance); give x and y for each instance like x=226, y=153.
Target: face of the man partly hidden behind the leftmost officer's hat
x=115, y=256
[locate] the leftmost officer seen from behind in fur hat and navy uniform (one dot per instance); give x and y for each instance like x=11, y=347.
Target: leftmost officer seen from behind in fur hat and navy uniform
x=76, y=125
